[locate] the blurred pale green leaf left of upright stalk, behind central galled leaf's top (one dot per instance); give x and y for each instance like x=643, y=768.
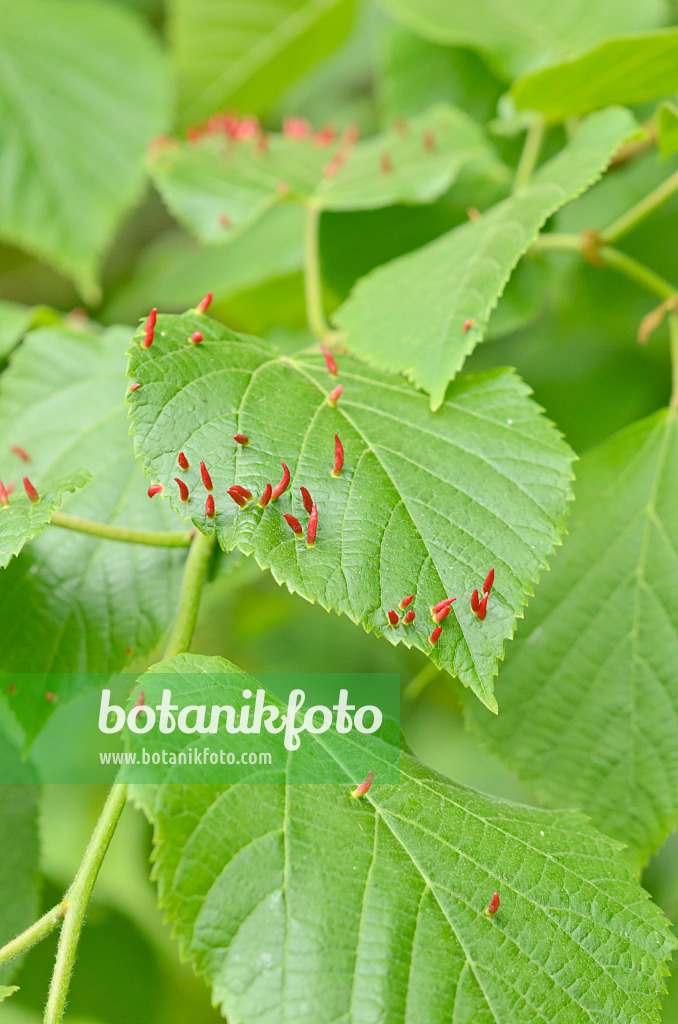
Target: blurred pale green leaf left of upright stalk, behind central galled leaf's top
x=178, y=271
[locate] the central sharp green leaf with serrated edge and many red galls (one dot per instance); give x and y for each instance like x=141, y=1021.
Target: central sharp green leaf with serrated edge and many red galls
x=427, y=504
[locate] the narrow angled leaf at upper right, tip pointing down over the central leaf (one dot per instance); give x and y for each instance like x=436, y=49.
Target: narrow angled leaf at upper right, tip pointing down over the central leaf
x=410, y=316
